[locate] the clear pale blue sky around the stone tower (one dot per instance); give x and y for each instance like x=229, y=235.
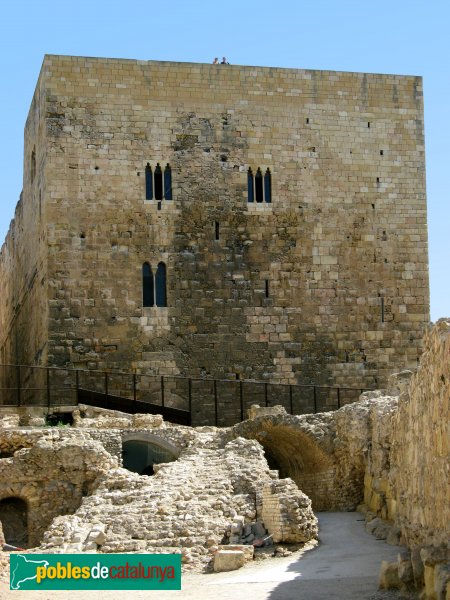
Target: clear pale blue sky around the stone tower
x=382, y=36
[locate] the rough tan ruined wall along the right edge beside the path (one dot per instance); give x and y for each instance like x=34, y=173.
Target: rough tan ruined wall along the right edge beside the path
x=407, y=476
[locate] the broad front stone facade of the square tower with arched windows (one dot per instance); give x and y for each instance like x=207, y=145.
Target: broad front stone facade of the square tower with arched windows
x=328, y=283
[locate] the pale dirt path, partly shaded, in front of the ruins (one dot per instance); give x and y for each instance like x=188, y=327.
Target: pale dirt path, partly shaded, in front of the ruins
x=344, y=566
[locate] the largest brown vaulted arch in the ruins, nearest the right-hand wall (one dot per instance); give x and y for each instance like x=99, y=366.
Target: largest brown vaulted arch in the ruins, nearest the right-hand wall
x=297, y=455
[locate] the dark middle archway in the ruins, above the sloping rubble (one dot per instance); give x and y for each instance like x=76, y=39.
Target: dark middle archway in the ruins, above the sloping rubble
x=140, y=455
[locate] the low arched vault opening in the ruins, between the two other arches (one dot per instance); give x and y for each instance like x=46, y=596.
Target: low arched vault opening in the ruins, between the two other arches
x=140, y=452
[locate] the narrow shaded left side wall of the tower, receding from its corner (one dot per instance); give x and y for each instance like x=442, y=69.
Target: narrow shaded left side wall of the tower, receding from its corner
x=23, y=256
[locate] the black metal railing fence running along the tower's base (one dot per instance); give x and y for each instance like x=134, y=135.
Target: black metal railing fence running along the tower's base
x=207, y=401
